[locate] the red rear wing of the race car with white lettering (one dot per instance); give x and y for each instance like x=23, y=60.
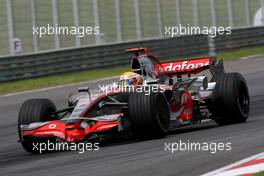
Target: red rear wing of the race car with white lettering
x=188, y=66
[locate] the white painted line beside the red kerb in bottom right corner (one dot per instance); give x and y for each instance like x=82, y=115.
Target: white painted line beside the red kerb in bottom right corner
x=218, y=171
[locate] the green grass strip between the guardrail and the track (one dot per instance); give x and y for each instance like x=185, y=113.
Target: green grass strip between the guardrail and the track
x=37, y=83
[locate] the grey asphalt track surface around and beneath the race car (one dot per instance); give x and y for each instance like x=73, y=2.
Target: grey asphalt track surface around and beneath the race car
x=139, y=157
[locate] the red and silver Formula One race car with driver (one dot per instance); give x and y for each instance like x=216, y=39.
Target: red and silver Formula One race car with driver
x=147, y=102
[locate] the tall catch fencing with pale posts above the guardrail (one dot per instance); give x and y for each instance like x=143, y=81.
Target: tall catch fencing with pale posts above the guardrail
x=119, y=20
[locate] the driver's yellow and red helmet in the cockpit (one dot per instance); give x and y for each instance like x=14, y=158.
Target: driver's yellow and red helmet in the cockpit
x=130, y=79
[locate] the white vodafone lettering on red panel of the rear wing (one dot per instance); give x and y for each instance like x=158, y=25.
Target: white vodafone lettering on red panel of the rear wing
x=181, y=66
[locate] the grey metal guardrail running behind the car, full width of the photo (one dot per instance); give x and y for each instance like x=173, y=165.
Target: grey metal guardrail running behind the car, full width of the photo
x=85, y=58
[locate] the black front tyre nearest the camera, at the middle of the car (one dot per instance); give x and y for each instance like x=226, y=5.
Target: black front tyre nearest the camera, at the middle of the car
x=149, y=115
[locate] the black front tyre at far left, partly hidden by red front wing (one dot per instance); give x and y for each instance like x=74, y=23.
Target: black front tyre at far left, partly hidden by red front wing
x=34, y=110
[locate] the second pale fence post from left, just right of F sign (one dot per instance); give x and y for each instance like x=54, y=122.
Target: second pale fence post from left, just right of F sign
x=33, y=22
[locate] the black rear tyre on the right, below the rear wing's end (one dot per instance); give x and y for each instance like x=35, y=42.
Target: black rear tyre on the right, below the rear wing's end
x=231, y=101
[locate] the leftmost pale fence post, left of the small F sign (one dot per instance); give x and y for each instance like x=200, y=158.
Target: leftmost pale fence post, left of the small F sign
x=10, y=26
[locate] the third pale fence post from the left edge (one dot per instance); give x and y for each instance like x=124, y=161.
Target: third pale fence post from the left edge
x=55, y=23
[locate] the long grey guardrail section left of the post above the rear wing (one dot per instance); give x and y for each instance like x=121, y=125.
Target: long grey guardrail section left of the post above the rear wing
x=35, y=65
